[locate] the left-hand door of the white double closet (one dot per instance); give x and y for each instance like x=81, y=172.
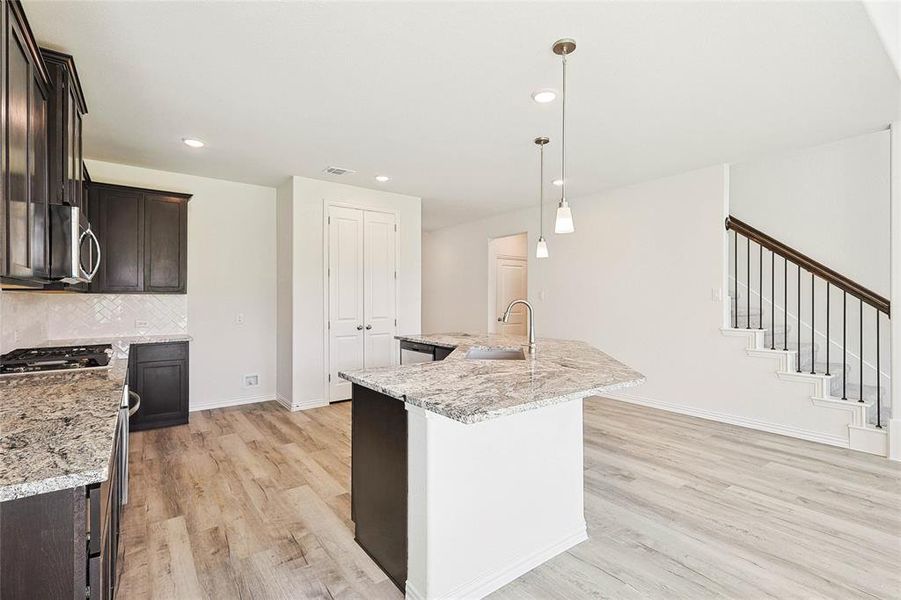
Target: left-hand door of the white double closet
x=346, y=311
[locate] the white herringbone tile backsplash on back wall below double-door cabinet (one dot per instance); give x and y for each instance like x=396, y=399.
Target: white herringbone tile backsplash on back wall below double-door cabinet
x=105, y=315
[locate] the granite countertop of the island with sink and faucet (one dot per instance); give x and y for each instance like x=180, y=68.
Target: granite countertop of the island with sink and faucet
x=470, y=391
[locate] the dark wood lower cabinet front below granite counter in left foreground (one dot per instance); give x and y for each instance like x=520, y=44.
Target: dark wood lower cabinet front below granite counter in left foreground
x=63, y=544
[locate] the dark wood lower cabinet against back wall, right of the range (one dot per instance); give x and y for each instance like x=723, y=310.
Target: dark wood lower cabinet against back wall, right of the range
x=158, y=373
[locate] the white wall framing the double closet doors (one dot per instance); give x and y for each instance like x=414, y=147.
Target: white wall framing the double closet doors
x=310, y=196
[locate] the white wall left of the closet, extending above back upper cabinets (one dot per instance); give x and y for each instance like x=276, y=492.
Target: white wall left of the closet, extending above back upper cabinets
x=231, y=270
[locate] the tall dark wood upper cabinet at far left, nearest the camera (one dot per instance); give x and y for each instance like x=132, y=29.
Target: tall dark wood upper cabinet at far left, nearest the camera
x=23, y=159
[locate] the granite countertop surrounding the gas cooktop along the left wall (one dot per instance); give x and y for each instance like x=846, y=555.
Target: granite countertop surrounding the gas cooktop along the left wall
x=57, y=430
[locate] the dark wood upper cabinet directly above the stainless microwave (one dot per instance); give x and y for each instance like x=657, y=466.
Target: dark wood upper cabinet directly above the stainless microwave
x=67, y=108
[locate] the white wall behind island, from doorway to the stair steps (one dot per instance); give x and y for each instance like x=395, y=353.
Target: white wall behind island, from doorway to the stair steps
x=637, y=279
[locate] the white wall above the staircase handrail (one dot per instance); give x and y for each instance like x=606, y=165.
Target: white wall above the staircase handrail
x=831, y=202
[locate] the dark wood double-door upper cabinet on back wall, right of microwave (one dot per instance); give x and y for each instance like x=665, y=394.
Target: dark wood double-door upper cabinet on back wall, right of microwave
x=143, y=237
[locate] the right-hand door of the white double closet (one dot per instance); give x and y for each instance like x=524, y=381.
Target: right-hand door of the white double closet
x=379, y=289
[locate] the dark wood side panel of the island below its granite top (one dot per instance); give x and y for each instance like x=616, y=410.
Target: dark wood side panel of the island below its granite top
x=379, y=480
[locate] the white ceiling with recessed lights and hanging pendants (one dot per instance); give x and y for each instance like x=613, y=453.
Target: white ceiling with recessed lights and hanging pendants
x=436, y=95
